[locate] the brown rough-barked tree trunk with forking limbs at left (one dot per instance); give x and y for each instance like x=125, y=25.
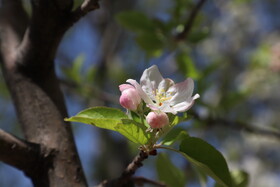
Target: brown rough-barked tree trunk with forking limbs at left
x=27, y=51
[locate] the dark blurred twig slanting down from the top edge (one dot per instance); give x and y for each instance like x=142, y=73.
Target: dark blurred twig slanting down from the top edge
x=187, y=28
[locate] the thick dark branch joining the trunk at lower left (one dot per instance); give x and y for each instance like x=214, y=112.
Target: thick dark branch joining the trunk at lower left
x=18, y=153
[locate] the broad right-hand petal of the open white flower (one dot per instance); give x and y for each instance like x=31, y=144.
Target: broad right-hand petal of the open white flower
x=183, y=91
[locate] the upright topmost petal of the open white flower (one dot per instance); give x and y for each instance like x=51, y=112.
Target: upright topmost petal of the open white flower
x=150, y=80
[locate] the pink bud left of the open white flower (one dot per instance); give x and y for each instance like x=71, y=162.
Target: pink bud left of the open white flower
x=130, y=99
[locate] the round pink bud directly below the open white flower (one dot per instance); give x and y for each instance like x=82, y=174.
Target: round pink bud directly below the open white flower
x=157, y=119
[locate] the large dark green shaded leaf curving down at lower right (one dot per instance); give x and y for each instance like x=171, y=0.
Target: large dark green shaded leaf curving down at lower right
x=207, y=158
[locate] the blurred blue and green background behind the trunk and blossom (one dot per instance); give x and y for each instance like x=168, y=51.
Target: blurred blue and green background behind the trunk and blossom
x=233, y=54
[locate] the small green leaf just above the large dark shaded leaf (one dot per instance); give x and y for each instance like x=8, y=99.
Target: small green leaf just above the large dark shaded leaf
x=174, y=135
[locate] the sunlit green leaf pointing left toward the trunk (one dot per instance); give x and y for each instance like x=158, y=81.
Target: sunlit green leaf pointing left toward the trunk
x=102, y=117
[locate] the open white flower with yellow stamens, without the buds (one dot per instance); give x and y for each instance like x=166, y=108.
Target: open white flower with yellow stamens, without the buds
x=163, y=94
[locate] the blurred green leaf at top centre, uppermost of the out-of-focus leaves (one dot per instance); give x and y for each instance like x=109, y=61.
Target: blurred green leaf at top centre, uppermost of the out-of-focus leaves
x=135, y=21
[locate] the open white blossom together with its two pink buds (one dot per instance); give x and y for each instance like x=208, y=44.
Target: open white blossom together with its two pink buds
x=159, y=95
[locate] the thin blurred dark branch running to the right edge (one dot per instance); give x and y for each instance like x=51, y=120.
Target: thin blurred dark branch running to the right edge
x=238, y=125
